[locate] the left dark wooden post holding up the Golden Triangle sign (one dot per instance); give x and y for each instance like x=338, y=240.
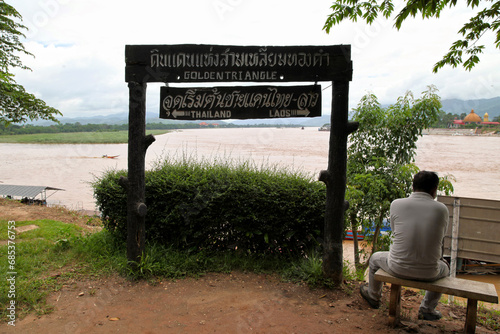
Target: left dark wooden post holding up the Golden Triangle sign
x=135, y=183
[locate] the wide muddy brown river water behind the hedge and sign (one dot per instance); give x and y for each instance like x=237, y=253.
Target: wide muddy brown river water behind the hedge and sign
x=472, y=160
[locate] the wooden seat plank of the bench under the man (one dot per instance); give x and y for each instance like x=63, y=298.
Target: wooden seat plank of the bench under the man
x=448, y=285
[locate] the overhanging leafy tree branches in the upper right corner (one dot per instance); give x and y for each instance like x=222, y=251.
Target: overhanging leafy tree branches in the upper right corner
x=463, y=52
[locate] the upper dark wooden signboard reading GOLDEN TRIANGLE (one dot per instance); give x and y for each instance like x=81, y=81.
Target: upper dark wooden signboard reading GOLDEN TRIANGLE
x=229, y=63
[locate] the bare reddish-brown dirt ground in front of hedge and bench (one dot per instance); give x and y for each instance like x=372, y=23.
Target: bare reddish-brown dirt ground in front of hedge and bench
x=216, y=303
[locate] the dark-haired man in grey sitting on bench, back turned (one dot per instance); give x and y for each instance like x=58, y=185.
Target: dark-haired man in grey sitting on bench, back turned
x=418, y=225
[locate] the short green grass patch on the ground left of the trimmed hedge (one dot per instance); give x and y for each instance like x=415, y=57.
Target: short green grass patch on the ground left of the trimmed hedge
x=54, y=247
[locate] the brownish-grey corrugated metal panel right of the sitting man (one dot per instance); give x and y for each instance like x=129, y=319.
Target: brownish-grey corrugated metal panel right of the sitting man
x=478, y=229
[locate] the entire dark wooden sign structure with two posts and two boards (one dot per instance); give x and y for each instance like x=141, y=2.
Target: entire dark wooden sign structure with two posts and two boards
x=249, y=64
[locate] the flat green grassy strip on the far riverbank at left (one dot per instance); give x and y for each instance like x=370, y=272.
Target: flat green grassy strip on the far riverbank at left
x=112, y=137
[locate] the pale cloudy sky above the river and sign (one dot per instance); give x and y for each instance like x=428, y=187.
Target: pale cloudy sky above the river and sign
x=79, y=47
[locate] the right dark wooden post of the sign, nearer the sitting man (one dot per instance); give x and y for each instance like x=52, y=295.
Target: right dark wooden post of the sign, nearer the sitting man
x=335, y=179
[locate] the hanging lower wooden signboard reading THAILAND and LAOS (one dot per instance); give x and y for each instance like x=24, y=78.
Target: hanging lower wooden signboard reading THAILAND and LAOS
x=245, y=102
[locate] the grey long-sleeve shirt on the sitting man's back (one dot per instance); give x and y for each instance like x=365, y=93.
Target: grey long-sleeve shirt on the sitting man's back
x=419, y=225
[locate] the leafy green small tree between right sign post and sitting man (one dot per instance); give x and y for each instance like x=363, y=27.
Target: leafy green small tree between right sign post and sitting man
x=381, y=155
